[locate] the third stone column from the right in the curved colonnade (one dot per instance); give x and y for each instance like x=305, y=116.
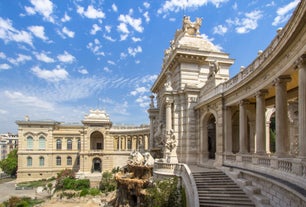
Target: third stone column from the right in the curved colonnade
x=260, y=122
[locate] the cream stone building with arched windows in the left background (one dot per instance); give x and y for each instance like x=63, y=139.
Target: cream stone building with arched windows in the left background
x=47, y=147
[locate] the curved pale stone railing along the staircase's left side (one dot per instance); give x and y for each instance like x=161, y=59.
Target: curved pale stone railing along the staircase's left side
x=162, y=169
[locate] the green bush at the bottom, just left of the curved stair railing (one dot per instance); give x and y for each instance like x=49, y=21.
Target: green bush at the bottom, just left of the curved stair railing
x=165, y=193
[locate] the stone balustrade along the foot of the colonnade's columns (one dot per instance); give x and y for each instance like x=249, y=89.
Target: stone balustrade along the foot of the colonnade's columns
x=291, y=169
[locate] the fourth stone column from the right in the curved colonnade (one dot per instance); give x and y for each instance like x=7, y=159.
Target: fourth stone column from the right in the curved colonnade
x=243, y=127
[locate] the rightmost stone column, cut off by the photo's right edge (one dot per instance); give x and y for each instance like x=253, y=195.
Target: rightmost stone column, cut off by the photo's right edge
x=301, y=66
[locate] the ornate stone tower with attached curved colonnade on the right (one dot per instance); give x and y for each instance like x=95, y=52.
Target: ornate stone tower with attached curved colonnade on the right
x=254, y=122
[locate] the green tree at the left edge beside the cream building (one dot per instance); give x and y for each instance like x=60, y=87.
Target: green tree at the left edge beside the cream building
x=10, y=164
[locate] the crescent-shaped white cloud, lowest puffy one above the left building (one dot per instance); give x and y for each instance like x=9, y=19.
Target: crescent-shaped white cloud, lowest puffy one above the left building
x=54, y=75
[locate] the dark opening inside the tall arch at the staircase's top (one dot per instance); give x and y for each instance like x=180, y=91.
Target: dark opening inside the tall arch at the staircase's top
x=211, y=135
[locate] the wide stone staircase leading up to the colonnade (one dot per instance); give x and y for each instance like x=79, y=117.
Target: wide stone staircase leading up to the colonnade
x=215, y=188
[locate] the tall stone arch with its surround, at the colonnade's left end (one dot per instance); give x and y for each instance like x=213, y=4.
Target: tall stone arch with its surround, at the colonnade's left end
x=207, y=136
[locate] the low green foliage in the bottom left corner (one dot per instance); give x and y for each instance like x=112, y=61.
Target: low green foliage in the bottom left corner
x=21, y=202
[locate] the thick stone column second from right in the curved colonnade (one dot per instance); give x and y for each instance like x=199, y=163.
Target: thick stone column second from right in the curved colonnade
x=281, y=116
